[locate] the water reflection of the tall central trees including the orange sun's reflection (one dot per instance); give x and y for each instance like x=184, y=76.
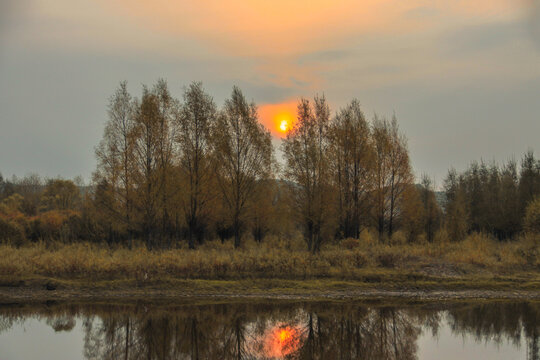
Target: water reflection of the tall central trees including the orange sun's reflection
x=358, y=333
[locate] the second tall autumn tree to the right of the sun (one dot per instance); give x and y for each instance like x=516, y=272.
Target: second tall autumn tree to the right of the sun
x=351, y=151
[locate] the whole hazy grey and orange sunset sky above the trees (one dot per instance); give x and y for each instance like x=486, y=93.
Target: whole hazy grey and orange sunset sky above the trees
x=462, y=76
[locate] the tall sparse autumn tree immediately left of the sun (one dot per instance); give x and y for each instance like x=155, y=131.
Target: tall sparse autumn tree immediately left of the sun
x=243, y=152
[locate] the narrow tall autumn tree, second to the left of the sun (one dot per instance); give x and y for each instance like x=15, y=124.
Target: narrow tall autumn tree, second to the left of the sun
x=197, y=118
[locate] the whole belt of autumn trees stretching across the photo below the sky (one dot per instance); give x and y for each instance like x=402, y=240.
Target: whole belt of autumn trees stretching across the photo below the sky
x=178, y=172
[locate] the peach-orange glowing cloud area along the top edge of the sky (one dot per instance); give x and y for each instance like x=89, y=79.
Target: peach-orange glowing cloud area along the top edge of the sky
x=284, y=27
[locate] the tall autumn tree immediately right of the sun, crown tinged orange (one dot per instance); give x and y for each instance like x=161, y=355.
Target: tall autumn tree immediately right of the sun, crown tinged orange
x=305, y=150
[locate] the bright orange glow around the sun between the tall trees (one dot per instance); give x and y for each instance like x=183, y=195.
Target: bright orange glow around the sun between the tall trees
x=278, y=118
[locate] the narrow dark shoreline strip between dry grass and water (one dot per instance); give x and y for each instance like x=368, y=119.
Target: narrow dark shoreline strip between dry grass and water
x=47, y=289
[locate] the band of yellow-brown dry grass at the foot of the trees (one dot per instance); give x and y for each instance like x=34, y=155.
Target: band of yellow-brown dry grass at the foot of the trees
x=274, y=258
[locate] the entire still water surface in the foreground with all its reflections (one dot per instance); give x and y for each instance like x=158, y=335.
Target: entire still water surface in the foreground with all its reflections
x=271, y=330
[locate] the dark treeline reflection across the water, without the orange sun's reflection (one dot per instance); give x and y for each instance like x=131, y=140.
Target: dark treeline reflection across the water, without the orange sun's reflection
x=331, y=330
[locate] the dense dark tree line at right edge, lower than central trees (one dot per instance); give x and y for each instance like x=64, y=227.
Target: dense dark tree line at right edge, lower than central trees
x=498, y=200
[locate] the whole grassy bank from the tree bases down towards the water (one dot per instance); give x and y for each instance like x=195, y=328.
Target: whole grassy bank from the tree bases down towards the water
x=476, y=262
